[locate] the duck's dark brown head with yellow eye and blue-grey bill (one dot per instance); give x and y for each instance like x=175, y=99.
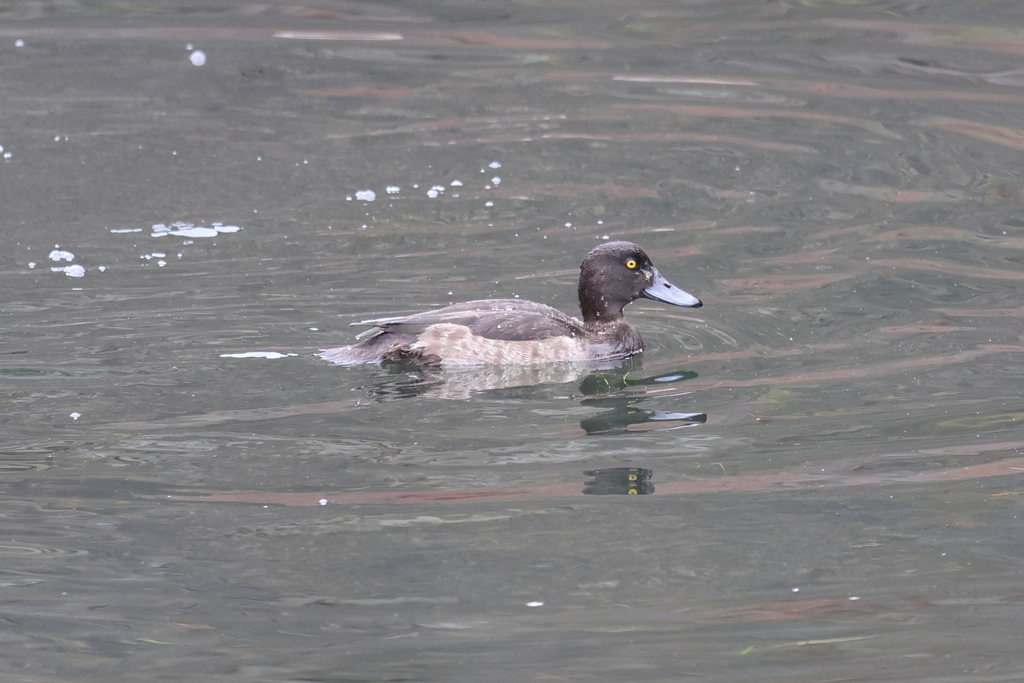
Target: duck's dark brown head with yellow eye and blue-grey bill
x=616, y=274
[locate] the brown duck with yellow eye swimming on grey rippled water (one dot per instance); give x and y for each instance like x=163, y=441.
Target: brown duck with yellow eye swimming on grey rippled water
x=517, y=332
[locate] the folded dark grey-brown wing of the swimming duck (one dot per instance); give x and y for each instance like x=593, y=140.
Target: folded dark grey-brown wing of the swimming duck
x=505, y=320
